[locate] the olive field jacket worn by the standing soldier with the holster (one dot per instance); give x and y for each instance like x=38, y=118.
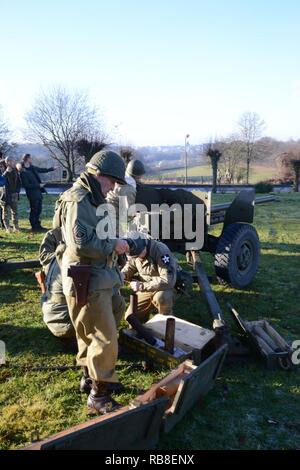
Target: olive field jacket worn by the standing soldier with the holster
x=76, y=215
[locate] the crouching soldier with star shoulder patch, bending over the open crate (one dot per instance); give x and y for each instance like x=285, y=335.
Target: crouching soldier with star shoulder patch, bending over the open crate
x=151, y=271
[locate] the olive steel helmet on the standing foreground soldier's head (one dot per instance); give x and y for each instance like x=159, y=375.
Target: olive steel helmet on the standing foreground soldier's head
x=107, y=163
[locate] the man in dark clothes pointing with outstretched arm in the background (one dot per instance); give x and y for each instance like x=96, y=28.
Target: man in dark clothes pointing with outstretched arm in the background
x=34, y=188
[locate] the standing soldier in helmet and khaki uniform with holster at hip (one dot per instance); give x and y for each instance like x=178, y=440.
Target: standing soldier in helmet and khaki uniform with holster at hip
x=90, y=274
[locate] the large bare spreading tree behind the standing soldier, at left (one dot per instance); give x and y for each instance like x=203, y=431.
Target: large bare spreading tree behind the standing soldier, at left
x=59, y=119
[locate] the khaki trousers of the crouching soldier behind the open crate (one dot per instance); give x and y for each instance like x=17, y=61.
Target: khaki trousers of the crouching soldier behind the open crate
x=162, y=300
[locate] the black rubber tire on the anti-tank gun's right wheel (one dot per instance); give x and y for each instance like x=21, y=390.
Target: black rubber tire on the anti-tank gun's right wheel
x=229, y=248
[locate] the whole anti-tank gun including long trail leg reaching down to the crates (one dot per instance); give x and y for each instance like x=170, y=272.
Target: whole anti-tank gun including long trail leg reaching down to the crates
x=236, y=250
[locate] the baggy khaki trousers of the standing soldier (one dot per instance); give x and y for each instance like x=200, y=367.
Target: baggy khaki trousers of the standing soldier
x=96, y=333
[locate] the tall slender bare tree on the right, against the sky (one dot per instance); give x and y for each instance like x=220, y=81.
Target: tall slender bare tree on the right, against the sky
x=251, y=128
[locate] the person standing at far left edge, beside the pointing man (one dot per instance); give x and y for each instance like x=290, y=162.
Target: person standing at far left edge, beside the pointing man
x=10, y=196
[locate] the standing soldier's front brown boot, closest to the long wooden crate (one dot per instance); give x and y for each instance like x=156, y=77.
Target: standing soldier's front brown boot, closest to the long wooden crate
x=100, y=400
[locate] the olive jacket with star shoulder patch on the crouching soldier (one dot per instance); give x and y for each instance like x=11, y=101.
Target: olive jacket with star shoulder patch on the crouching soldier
x=157, y=271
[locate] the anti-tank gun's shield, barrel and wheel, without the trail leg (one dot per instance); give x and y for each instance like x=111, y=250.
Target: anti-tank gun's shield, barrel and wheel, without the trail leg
x=236, y=249
